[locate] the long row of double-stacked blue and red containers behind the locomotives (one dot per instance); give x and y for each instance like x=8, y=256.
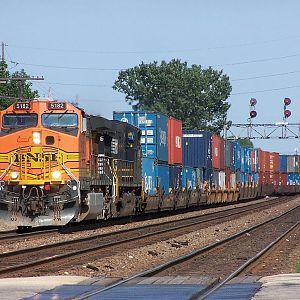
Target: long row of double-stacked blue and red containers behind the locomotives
x=174, y=159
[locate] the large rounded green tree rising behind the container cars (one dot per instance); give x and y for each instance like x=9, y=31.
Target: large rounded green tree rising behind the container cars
x=194, y=95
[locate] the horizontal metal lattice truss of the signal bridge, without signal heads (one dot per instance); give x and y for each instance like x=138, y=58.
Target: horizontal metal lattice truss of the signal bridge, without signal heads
x=278, y=130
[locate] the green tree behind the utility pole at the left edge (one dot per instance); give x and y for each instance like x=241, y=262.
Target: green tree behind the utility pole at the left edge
x=10, y=88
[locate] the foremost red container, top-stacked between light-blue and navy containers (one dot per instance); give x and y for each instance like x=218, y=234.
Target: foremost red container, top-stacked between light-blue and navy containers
x=174, y=141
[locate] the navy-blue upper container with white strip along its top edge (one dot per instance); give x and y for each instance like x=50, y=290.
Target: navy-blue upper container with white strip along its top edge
x=197, y=149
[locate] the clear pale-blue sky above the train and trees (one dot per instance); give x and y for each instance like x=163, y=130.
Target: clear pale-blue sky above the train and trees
x=79, y=46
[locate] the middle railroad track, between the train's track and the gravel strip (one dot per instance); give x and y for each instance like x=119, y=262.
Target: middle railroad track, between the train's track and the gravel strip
x=30, y=260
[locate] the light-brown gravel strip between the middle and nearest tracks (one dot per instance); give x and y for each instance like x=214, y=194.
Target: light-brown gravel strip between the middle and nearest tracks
x=138, y=259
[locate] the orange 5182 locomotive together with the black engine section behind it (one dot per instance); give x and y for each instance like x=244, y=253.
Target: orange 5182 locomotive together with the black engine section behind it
x=59, y=165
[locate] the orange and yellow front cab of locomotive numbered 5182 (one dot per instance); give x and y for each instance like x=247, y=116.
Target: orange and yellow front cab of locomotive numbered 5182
x=39, y=162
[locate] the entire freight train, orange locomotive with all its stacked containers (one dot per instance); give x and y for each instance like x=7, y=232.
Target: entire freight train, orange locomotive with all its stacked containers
x=59, y=165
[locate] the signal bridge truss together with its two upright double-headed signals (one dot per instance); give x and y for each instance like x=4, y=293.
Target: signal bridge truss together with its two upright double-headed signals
x=264, y=130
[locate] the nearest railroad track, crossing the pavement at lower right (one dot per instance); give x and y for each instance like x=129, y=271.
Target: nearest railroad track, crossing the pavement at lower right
x=197, y=261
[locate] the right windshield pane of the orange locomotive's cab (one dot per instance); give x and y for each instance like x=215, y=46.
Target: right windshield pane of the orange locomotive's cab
x=59, y=120
